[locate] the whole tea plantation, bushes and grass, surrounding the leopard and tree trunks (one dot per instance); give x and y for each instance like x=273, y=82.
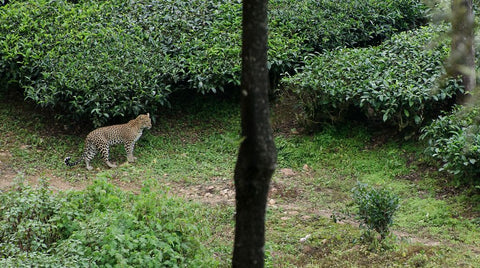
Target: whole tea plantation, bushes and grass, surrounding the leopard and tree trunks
x=377, y=166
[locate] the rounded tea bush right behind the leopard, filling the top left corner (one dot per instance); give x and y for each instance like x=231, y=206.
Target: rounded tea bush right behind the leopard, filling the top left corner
x=72, y=57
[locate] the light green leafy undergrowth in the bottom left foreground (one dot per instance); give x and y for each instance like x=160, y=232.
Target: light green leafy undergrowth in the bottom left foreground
x=101, y=226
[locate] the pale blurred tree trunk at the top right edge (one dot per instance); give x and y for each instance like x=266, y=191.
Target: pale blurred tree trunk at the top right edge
x=462, y=55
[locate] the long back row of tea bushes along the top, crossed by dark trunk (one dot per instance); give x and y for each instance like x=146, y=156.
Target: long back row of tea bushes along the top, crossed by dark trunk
x=98, y=60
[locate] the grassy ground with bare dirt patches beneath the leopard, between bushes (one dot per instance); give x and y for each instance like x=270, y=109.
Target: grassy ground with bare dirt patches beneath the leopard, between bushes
x=192, y=151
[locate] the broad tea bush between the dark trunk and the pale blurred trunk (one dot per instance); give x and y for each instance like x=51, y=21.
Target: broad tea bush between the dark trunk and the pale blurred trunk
x=398, y=82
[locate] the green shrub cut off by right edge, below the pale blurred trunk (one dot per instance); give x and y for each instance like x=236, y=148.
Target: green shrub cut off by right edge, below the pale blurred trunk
x=454, y=140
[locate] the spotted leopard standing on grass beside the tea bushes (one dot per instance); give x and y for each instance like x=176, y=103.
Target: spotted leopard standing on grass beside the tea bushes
x=100, y=140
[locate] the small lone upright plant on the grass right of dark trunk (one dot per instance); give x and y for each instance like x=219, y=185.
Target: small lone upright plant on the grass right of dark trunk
x=376, y=208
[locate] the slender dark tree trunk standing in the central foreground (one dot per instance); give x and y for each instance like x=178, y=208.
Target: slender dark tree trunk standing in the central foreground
x=257, y=154
